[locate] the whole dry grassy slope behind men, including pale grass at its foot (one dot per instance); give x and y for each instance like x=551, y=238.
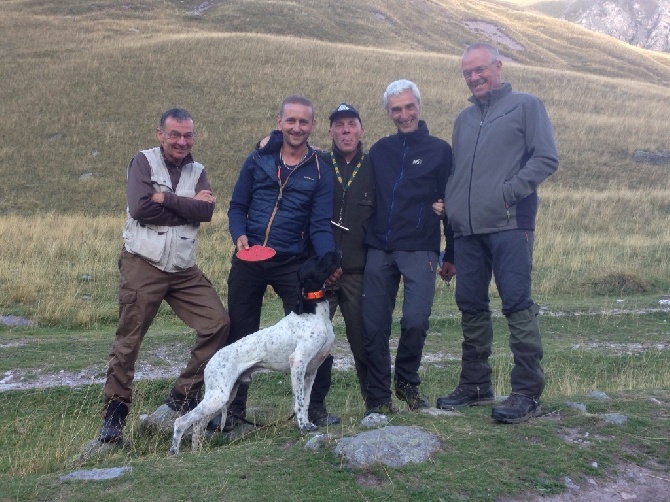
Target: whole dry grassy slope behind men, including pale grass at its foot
x=84, y=85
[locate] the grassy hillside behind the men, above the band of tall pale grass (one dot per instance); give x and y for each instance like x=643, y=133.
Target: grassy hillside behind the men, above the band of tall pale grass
x=84, y=84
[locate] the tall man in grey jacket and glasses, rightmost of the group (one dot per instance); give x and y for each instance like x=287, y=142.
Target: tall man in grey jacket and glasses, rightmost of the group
x=503, y=149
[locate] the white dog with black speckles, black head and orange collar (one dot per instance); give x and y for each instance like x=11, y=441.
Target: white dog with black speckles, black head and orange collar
x=297, y=344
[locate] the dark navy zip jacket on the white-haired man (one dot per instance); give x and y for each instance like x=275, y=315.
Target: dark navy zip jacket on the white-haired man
x=410, y=172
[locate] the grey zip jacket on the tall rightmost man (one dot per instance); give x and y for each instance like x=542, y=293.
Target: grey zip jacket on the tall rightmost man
x=503, y=150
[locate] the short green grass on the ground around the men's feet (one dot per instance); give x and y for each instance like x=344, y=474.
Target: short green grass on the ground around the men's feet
x=620, y=349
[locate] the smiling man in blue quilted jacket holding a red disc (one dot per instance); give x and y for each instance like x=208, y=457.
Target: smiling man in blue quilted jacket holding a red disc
x=283, y=199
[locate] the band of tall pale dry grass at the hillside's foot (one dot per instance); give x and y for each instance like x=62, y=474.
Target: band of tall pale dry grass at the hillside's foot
x=62, y=268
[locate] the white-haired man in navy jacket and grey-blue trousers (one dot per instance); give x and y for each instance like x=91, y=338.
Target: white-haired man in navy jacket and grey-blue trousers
x=403, y=237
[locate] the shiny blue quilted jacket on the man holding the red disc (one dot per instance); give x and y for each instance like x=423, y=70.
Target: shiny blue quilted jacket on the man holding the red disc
x=289, y=218
